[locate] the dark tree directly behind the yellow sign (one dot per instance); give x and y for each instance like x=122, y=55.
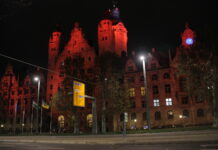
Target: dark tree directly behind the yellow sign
x=72, y=70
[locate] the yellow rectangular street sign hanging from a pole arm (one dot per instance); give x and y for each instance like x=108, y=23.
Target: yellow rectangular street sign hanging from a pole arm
x=78, y=94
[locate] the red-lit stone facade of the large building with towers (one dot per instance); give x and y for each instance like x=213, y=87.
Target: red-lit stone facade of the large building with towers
x=169, y=103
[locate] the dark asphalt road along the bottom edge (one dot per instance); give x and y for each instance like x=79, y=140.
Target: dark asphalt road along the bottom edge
x=173, y=146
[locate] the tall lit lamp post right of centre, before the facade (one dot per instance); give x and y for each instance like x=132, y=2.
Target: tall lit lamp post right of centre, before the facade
x=142, y=58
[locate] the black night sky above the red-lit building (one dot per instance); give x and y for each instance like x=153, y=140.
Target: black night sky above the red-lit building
x=150, y=23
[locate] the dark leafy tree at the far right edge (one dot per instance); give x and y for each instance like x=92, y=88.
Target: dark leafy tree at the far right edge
x=199, y=65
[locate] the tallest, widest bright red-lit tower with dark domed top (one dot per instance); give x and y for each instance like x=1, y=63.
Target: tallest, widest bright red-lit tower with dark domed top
x=112, y=34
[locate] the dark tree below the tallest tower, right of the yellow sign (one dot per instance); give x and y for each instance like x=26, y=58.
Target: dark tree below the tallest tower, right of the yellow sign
x=110, y=72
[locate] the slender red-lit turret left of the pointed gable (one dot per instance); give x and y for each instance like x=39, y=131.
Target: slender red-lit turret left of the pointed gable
x=53, y=49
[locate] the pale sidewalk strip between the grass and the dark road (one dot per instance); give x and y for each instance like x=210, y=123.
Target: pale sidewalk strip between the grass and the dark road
x=169, y=137
